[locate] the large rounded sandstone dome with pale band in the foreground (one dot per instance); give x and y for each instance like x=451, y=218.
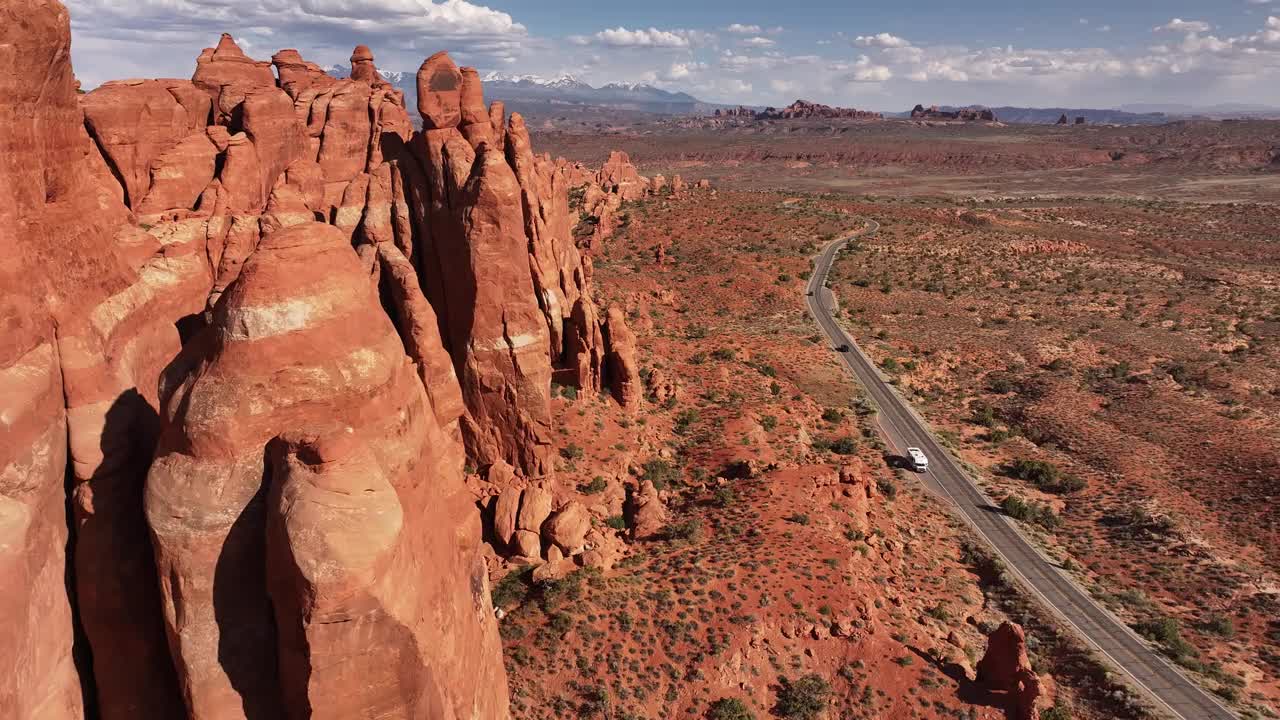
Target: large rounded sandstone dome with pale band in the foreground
x=257, y=375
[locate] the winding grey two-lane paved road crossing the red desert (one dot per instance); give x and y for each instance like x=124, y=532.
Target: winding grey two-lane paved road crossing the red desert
x=1167, y=686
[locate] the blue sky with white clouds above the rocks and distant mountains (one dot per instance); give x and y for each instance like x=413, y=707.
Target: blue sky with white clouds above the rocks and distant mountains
x=877, y=54
